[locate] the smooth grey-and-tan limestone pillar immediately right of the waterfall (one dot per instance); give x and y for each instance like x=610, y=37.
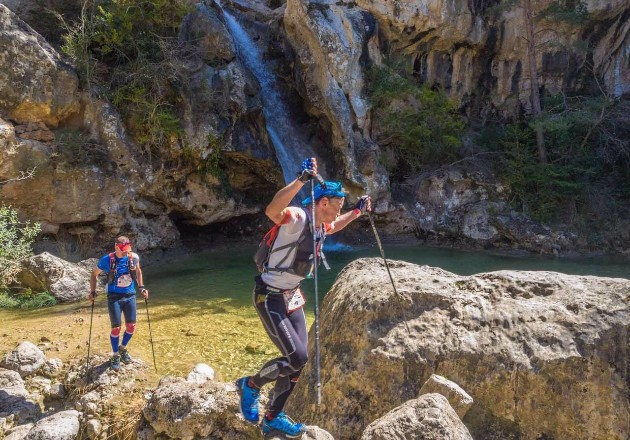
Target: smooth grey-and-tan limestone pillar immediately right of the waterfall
x=333, y=42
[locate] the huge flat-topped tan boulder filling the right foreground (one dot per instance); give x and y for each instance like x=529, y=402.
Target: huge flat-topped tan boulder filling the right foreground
x=544, y=355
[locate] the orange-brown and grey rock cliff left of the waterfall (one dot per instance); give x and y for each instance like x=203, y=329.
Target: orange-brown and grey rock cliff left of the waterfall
x=89, y=179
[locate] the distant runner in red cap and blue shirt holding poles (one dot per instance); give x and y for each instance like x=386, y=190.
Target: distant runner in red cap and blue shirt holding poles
x=123, y=275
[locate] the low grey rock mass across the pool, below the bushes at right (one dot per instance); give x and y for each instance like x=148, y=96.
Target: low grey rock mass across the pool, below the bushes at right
x=468, y=205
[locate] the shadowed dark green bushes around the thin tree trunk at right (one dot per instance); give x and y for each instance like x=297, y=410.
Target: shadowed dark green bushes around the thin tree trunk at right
x=588, y=150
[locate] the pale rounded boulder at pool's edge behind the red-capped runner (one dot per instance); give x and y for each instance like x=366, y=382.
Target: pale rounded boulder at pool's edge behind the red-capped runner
x=64, y=280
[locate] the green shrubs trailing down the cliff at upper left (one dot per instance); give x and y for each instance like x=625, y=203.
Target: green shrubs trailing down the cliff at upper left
x=128, y=47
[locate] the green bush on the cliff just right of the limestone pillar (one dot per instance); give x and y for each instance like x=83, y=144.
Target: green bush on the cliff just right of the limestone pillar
x=421, y=125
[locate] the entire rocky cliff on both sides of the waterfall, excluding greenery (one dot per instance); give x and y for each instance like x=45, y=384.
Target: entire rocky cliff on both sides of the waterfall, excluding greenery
x=92, y=181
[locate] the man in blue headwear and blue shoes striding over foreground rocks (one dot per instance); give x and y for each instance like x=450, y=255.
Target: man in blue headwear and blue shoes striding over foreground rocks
x=278, y=298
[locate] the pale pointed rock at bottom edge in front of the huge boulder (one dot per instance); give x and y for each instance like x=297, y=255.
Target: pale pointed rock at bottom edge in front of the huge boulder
x=429, y=417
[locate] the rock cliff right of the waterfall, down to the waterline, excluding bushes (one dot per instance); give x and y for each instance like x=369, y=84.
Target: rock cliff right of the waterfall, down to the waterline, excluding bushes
x=467, y=48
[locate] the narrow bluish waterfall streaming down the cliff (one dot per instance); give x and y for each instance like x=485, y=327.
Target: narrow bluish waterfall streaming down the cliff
x=290, y=146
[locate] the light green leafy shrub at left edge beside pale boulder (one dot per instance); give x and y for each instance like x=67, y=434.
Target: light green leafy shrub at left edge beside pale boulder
x=16, y=240
